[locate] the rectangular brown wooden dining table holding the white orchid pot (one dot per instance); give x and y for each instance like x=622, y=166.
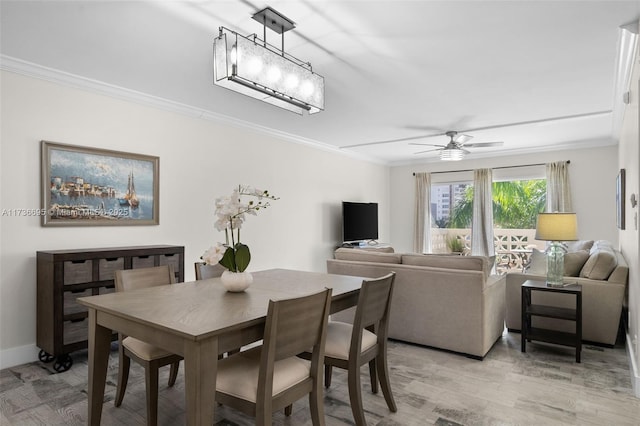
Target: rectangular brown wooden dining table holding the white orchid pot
x=197, y=320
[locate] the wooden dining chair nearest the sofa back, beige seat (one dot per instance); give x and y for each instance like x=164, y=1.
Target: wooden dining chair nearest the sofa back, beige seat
x=350, y=346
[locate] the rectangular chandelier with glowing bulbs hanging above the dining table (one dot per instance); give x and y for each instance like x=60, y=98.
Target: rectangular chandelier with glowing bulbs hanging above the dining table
x=251, y=66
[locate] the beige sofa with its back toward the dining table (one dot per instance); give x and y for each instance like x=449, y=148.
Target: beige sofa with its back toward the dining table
x=446, y=302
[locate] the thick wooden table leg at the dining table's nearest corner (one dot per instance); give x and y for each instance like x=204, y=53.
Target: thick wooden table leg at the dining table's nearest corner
x=201, y=367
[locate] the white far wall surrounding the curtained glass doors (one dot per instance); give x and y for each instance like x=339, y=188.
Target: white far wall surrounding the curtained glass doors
x=592, y=173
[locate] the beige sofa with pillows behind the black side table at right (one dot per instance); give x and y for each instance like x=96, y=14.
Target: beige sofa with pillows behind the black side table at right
x=601, y=270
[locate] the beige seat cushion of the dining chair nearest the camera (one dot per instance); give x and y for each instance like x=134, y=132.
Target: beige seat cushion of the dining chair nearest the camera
x=238, y=374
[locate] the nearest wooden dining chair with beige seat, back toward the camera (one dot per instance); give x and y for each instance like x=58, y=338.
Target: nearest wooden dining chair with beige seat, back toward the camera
x=268, y=378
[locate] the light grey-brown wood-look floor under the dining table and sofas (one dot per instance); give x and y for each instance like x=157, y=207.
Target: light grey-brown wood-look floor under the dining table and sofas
x=541, y=387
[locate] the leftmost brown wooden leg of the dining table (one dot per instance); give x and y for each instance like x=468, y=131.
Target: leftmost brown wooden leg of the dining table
x=99, y=343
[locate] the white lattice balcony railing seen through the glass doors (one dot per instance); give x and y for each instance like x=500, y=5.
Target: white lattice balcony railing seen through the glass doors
x=513, y=246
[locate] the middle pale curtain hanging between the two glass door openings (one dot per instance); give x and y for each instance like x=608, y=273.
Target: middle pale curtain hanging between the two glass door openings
x=482, y=224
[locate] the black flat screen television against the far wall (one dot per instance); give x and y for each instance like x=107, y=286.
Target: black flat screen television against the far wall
x=359, y=221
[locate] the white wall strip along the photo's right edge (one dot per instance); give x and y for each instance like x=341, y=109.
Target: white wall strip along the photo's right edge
x=629, y=159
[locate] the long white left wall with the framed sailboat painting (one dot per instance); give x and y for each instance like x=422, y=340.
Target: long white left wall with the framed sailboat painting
x=199, y=161
